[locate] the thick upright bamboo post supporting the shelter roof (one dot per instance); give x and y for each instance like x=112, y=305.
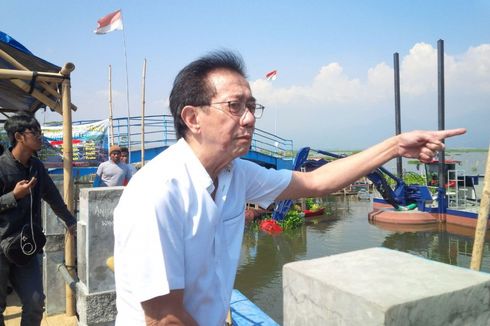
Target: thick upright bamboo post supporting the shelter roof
x=68, y=181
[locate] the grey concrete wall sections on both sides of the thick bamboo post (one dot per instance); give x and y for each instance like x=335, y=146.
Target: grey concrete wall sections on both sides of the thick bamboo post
x=95, y=243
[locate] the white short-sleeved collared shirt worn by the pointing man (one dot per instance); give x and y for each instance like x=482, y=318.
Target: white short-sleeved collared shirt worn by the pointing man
x=171, y=234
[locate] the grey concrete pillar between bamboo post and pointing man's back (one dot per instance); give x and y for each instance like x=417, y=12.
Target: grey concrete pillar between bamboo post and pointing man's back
x=96, y=295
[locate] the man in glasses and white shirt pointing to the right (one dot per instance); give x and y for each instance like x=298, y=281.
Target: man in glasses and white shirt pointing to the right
x=179, y=224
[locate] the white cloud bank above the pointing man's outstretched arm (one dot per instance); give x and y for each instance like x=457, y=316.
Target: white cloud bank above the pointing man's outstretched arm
x=355, y=111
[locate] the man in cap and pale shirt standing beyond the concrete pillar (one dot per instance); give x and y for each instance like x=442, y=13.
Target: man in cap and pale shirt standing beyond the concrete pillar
x=112, y=172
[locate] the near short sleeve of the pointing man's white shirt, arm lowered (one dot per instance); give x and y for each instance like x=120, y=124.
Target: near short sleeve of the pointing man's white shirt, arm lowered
x=149, y=241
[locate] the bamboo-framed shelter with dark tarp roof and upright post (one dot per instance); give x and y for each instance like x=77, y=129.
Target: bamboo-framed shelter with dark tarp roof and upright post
x=29, y=84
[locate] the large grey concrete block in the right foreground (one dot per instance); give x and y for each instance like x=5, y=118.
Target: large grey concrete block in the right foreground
x=379, y=286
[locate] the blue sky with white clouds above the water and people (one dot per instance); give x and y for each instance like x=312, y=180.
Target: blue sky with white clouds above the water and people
x=335, y=83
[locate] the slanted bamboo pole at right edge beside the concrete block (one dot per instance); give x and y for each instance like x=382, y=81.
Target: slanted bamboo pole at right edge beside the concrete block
x=481, y=224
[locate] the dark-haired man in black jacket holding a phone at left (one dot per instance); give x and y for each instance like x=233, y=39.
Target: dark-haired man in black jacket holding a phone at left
x=23, y=183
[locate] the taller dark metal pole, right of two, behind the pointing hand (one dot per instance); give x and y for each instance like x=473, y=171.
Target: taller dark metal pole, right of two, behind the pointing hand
x=442, y=199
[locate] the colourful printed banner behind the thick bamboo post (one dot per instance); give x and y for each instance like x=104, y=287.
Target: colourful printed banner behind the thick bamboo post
x=90, y=143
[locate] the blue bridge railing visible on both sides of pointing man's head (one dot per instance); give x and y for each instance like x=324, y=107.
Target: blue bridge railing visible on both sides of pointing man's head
x=159, y=131
